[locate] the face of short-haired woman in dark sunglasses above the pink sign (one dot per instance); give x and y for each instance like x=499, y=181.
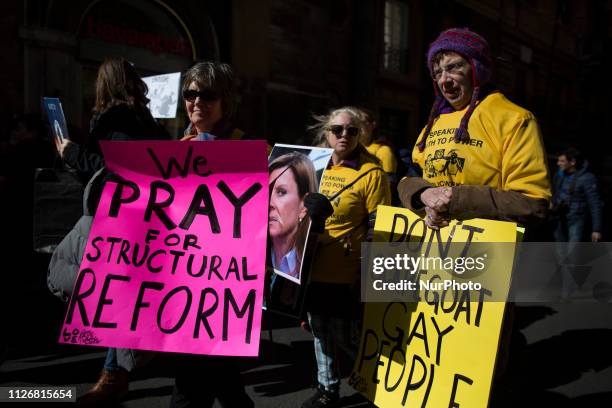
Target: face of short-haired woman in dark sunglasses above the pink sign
x=203, y=107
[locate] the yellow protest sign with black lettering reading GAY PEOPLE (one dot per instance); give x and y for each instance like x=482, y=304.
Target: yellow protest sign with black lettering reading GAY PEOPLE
x=440, y=351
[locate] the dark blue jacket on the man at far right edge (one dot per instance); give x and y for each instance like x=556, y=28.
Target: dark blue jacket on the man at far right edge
x=576, y=194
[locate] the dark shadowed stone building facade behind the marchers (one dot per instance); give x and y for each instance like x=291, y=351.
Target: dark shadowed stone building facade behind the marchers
x=298, y=57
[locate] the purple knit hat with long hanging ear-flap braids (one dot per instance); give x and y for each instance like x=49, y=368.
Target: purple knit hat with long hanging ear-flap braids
x=473, y=48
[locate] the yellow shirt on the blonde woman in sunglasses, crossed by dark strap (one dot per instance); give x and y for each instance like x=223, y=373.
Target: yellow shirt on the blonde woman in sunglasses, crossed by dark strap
x=339, y=250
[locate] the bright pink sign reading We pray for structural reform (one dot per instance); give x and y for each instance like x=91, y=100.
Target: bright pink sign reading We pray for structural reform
x=175, y=260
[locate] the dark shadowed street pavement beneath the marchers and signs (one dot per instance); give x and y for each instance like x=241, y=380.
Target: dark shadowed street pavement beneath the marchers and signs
x=561, y=357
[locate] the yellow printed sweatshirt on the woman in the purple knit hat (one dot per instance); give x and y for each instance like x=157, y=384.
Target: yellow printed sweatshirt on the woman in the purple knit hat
x=505, y=150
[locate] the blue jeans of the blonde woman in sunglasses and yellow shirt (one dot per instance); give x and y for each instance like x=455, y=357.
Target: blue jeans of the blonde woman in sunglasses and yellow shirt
x=330, y=334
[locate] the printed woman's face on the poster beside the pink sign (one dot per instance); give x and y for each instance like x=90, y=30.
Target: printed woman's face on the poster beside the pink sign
x=286, y=206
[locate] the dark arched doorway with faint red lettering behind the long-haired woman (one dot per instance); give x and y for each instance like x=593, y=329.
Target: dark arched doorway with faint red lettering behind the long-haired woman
x=150, y=34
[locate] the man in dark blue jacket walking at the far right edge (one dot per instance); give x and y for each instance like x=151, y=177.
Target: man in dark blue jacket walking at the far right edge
x=575, y=198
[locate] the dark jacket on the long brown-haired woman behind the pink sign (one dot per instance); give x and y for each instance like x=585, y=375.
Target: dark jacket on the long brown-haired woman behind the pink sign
x=119, y=122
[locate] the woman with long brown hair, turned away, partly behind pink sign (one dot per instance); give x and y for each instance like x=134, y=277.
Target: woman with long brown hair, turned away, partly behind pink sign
x=120, y=114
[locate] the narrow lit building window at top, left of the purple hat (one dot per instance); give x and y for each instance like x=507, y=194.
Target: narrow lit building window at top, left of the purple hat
x=396, y=36
